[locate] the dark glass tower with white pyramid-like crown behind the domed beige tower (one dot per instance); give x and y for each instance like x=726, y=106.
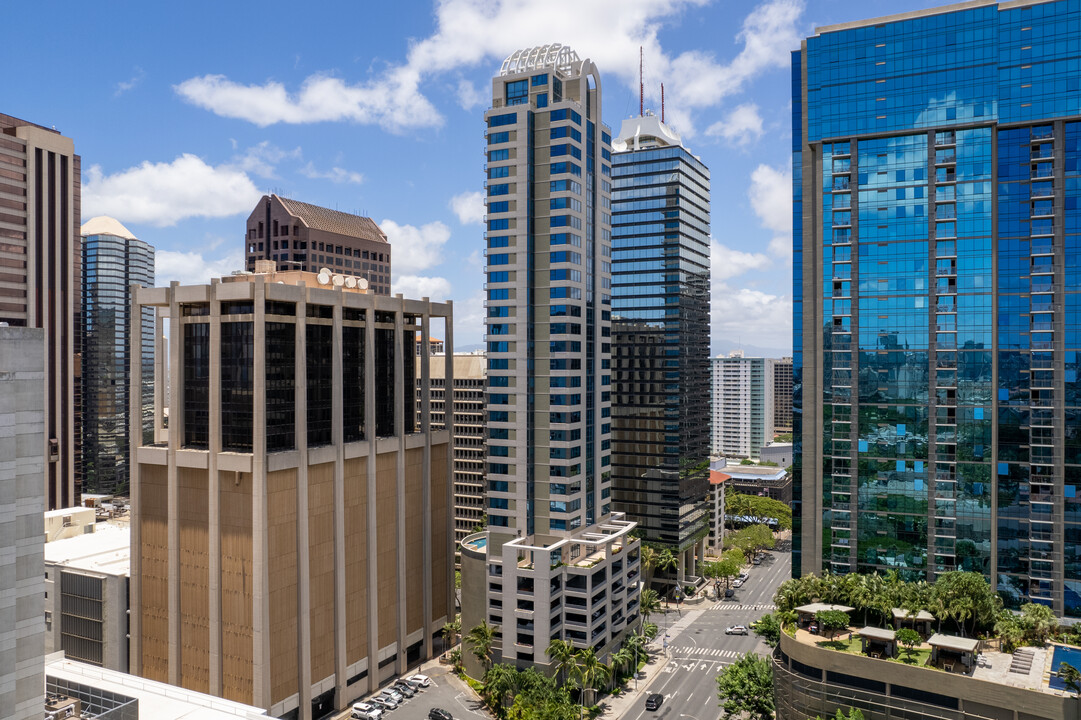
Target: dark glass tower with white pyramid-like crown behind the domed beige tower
x=661, y=337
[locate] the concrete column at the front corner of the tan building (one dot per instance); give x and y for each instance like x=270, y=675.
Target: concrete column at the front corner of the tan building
x=261, y=564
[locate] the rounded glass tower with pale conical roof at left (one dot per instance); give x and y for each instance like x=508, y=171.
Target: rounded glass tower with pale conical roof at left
x=113, y=260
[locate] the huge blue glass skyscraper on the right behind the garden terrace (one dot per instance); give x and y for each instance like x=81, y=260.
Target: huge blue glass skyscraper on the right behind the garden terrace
x=937, y=286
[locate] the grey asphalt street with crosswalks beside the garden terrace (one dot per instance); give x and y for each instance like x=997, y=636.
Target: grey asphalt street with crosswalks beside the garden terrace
x=699, y=649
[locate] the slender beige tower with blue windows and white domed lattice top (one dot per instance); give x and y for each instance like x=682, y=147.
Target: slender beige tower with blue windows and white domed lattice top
x=556, y=562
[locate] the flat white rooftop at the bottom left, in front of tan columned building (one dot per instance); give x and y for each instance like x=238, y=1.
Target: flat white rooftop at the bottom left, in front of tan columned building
x=156, y=700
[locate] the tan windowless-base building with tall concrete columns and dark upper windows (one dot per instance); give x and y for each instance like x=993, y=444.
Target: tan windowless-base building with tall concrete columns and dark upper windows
x=291, y=528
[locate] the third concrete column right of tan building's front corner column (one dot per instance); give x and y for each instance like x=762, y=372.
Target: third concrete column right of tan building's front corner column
x=373, y=568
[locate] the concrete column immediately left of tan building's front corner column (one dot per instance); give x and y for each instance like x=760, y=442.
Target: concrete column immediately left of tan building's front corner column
x=215, y=511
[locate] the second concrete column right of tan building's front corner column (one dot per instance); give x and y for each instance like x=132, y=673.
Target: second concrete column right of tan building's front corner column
x=338, y=437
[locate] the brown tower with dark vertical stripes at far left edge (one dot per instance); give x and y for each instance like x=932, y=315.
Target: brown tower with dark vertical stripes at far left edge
x=41, y=278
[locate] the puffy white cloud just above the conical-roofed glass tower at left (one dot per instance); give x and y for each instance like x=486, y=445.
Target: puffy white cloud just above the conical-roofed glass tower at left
x=164, y=194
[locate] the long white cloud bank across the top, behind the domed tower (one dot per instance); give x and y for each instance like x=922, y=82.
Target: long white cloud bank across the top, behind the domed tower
x=472, y=33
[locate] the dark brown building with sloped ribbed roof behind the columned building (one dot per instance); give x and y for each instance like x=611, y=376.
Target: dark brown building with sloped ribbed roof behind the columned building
x=299, y=236
